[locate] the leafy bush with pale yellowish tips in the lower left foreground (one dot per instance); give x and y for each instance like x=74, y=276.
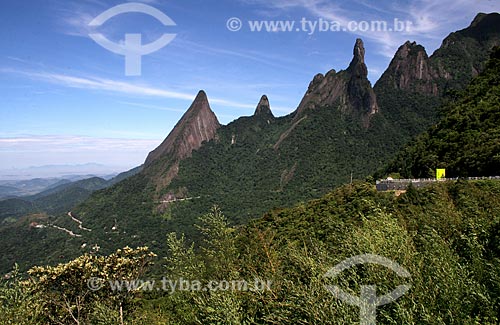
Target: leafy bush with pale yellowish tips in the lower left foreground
x=79, y=292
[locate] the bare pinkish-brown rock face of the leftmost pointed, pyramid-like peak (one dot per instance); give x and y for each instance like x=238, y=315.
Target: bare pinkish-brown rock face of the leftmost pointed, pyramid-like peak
x=198, y=124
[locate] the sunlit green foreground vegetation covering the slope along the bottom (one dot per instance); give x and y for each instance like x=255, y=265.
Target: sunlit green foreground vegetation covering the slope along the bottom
x=447, y=237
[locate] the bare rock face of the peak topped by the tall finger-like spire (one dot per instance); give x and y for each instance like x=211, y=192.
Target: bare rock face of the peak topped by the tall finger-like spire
x=348, y=88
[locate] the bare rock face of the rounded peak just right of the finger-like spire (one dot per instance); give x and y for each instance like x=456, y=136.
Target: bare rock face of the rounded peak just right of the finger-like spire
x=410, y=70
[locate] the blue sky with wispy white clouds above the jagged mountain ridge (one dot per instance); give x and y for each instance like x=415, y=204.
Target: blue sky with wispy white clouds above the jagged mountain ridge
x=67, y=100
